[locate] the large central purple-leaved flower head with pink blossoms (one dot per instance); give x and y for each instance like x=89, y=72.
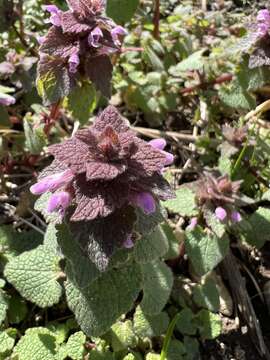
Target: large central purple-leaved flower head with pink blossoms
x=101, y=179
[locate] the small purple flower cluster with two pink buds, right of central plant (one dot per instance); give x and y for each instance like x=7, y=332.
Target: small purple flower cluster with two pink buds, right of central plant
x=221, y=193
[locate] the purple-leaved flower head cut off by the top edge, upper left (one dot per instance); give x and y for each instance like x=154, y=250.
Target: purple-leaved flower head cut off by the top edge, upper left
x=77, y=47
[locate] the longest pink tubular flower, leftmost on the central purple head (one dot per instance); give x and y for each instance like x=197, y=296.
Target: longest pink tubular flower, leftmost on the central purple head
x=52, y=182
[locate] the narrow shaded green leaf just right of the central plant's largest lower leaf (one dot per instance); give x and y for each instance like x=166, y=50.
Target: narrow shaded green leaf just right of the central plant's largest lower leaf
x=157, y=286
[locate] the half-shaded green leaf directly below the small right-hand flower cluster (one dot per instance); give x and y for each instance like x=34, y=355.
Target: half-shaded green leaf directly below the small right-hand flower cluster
x=205, y=250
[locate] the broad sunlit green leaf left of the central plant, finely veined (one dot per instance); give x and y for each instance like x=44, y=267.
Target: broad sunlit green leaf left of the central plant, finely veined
x=34, y=274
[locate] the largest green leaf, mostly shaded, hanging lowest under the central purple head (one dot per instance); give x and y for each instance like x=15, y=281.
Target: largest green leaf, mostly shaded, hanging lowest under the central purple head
x=98, y=306
